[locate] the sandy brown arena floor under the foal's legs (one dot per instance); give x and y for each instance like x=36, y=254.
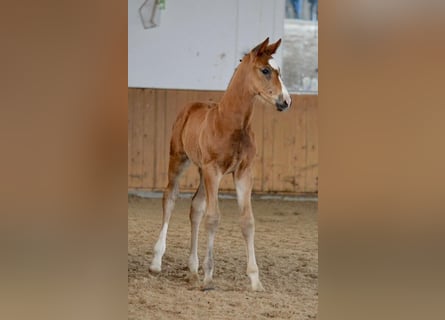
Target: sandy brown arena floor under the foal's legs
x=286, y=241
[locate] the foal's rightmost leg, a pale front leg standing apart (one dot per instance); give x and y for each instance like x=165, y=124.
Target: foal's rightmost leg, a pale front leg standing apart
x=243, y=183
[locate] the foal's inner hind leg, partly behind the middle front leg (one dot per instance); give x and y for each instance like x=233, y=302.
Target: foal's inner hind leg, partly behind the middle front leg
x=196, y=212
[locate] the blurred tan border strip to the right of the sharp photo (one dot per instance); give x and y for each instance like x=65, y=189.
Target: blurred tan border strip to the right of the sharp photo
x=382, y=156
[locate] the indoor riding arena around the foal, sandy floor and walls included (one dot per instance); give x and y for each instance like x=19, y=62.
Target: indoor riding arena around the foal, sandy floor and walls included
x=285, y=173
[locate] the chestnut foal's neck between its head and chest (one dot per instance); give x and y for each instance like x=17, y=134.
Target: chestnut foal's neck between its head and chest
x=236, y=105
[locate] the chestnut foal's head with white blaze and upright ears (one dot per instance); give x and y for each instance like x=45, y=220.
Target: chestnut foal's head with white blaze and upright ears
x=264, y=75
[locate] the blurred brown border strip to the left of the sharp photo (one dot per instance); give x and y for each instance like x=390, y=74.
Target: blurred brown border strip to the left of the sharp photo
x=63, y=127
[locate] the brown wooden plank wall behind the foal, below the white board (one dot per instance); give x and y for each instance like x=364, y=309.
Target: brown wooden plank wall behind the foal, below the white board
x=287, y=143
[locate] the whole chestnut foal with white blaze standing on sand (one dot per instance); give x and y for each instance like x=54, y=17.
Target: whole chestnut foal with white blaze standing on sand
x=218, y=138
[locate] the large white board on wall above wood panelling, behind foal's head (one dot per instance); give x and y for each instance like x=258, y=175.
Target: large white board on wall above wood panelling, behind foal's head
x=198, y=43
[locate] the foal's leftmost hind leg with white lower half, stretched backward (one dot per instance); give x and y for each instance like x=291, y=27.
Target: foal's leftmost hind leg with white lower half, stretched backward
x=177, y=164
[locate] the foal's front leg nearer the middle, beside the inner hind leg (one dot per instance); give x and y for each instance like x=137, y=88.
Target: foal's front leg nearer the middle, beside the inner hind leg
x=212, y=178
